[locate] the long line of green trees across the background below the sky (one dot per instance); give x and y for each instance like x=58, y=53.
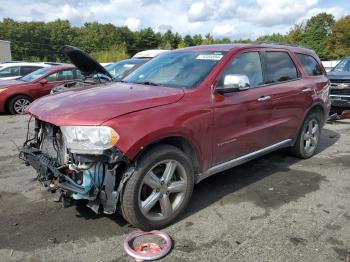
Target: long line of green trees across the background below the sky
x=40, y=41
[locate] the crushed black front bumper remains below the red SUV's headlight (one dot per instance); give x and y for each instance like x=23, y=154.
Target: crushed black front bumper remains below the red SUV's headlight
x=59, y=180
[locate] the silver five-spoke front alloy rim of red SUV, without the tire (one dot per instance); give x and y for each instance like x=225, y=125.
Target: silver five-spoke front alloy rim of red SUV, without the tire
x=162, y=190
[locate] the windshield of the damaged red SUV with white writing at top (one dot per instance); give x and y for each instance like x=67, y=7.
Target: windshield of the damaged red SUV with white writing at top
x=176, y=69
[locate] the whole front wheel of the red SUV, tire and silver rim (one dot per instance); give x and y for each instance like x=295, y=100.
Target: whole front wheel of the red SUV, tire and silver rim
x=160, y=188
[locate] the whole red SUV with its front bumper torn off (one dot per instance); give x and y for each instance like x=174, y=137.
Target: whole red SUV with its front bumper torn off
x=140, y=146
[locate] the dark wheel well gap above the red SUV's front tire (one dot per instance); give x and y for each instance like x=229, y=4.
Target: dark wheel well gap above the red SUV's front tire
x=180, y=143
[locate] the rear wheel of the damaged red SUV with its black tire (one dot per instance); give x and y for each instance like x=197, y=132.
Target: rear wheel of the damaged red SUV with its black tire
x=300, y=147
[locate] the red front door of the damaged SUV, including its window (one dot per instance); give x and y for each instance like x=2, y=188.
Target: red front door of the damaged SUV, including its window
x=241, y=119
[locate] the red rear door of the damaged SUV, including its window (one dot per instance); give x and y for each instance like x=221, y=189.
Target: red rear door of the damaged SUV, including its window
x=291, y=94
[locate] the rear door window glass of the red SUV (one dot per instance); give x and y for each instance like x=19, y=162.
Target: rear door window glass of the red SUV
x=279, y=67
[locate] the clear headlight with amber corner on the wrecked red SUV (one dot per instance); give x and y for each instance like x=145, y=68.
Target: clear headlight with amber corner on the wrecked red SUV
x=89, y=139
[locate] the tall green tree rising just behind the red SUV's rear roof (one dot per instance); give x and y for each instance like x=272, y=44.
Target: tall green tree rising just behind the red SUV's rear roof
x=316, y=33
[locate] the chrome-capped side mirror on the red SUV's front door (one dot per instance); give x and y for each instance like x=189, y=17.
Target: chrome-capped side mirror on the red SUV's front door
x=233, y=83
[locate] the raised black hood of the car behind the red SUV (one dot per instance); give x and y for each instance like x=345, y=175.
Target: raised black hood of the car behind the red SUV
x=85, y=63
